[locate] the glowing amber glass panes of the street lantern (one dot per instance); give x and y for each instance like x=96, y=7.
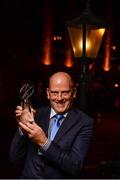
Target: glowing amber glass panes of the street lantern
x=92, y=42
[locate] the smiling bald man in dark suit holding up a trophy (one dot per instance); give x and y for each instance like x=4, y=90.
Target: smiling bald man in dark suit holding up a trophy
x=49, y=155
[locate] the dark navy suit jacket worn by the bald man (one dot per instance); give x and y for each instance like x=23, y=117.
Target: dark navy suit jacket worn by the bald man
x=65, y=156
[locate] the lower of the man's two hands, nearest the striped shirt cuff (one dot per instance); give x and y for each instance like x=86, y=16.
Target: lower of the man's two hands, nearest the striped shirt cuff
x=34, y=132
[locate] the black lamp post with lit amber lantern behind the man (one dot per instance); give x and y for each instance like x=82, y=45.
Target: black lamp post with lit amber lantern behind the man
x=86, y=33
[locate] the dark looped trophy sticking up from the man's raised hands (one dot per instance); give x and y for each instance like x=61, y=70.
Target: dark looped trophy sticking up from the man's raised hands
x=25, y=93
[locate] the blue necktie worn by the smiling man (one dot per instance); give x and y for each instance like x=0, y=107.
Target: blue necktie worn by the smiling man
x=58, y=118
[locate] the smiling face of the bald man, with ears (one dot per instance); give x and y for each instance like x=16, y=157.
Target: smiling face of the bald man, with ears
x=61, y=94
